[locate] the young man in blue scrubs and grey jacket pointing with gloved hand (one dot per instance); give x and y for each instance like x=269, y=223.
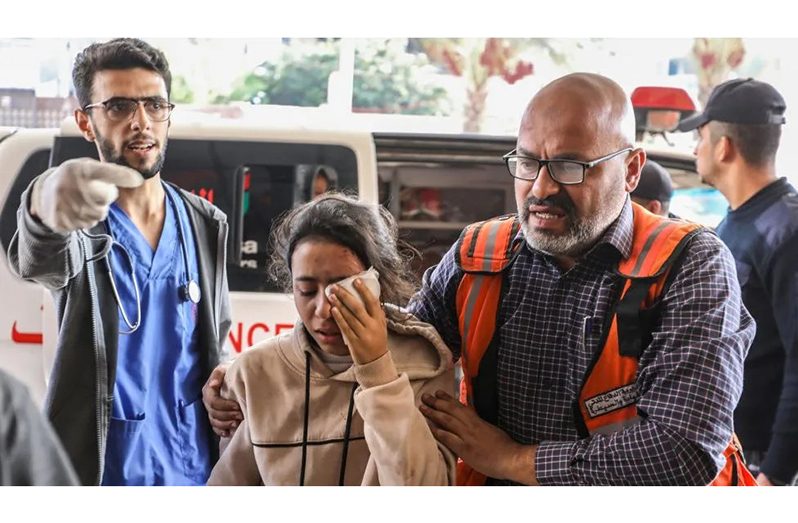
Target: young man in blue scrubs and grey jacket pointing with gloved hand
x=137, y=269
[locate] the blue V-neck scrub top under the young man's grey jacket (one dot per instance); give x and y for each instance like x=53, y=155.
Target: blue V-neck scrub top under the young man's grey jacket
x=159, y=430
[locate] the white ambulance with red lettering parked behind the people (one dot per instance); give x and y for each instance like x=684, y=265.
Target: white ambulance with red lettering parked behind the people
x=434, y=184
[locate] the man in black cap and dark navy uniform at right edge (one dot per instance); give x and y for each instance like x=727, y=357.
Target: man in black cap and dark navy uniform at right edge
x=739, y=134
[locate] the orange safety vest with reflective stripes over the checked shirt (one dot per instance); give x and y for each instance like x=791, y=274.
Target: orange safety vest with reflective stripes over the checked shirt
x=608, y=399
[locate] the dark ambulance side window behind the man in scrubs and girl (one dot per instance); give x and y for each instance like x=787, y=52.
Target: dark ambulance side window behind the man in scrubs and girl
x=272, y=177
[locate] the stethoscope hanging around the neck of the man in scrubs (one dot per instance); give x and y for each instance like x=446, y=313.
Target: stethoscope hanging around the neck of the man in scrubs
x=189, y=291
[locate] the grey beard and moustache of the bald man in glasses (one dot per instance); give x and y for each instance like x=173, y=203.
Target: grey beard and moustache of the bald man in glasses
x=581, y=233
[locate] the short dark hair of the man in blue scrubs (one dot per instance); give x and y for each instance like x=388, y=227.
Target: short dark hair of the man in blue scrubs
x=119, y=53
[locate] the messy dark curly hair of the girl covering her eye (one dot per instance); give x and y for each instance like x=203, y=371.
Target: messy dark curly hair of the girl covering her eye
x=368, y=230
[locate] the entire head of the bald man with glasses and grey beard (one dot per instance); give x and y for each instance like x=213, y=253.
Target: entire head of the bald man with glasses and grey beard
x=582, y=119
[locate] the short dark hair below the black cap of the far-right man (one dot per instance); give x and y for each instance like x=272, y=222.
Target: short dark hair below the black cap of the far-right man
x=757, y=143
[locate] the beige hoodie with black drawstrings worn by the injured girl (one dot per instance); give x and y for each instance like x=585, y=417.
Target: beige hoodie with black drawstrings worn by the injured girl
x=382, y=440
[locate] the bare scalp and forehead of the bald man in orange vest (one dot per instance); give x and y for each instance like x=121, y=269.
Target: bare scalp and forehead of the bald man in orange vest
x=594, y=102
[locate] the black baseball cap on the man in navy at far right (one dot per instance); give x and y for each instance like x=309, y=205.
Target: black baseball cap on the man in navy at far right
x=742, y=101
